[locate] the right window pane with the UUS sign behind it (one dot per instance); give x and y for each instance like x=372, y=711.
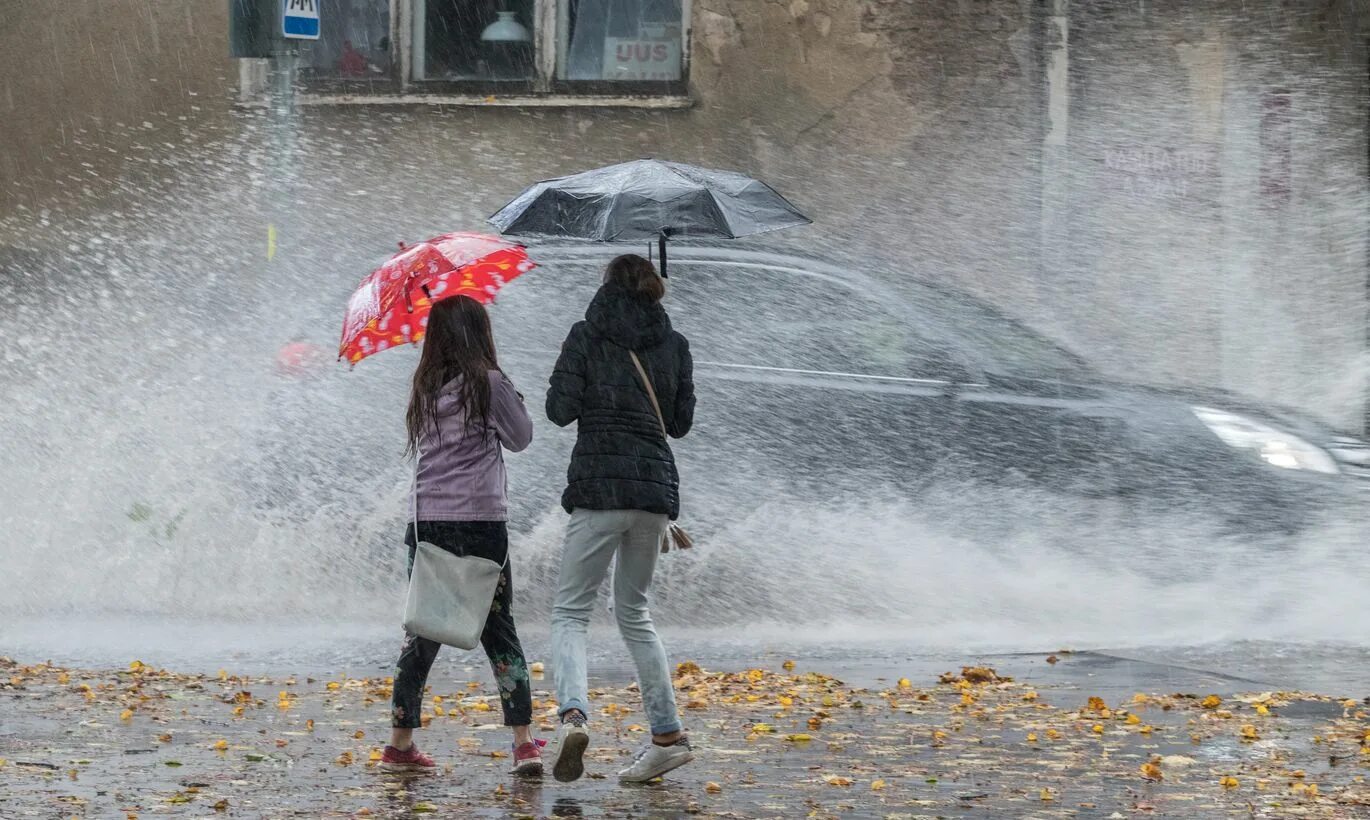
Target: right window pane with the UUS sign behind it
x=623, y=40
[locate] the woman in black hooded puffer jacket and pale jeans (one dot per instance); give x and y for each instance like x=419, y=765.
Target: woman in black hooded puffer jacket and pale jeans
x=623, y=494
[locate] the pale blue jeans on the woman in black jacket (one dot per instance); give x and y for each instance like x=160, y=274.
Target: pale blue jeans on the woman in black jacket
x=593, y=540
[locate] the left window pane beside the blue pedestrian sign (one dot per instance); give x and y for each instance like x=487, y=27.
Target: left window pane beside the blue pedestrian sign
x=354, y=42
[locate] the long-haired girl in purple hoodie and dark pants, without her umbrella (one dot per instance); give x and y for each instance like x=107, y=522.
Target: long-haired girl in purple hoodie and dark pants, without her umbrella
x=464, y=413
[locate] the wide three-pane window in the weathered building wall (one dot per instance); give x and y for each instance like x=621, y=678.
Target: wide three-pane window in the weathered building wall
x=493, y=49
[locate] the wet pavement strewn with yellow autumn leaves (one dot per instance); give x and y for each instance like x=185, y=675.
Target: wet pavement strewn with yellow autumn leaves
x=1072, y=736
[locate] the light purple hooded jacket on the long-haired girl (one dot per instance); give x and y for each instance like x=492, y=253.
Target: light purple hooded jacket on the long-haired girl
x=464, y=478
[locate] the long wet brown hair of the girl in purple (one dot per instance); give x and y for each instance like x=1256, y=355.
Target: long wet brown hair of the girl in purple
x=458, y=344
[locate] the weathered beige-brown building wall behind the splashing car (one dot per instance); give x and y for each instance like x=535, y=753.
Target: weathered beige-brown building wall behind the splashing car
x=912, y=131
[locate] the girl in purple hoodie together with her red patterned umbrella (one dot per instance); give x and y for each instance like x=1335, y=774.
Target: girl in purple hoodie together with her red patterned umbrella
x=464, y=414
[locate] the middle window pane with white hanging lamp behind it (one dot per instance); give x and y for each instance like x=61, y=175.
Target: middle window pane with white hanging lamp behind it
x=473, y=40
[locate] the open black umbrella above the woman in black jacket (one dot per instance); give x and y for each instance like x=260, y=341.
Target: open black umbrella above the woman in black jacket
x=649, y=201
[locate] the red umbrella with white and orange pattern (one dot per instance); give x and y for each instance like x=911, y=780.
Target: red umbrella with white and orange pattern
x=391, y=306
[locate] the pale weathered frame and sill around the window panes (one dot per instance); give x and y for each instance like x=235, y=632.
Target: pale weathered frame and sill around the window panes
x=550, y=28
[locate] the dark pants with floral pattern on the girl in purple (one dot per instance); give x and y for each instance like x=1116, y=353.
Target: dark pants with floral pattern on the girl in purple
x=488, y=540
